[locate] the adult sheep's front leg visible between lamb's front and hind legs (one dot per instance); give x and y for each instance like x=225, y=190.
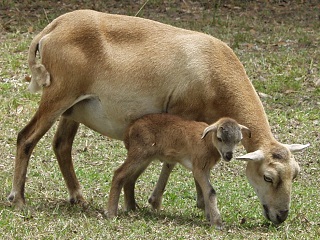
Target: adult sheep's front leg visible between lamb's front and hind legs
x=155, y=199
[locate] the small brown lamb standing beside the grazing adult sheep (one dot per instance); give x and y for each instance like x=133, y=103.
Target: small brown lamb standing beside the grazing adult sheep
x=172, y=139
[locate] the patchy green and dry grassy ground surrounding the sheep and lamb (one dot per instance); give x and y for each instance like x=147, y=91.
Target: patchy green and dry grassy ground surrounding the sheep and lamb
x=278, y=43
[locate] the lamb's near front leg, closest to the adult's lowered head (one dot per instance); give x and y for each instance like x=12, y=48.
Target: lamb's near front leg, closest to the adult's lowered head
x=210, y=198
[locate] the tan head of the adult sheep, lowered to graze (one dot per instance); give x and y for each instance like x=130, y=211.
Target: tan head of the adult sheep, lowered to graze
x=271, y=171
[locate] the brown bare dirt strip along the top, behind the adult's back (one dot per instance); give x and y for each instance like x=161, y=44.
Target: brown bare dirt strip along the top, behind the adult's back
x=25, y=15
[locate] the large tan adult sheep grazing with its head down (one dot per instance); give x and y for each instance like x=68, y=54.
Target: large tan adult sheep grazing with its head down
x=106, y=70
